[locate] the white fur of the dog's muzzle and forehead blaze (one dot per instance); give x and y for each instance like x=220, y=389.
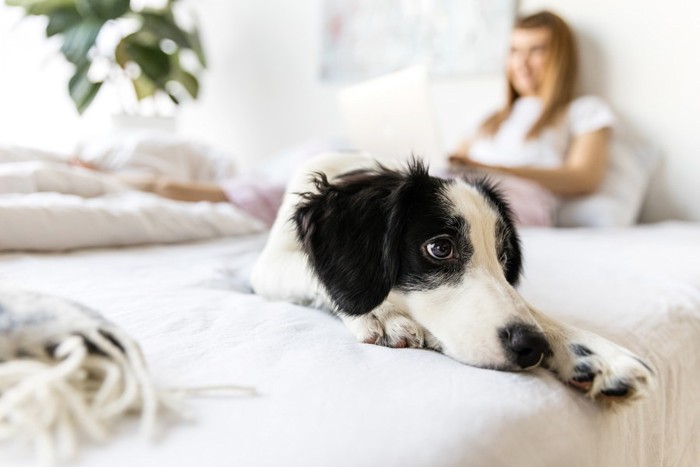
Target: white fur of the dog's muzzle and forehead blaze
x=464, y=317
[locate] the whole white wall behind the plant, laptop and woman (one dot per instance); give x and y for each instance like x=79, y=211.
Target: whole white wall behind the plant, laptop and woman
x=261, y=93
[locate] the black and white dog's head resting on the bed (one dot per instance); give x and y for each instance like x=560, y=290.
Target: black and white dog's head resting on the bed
x=447, y=249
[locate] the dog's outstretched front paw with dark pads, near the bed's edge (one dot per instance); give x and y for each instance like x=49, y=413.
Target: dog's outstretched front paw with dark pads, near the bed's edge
x=605, y=371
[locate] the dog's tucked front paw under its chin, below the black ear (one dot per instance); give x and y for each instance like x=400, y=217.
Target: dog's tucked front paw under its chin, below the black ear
x=387, y=328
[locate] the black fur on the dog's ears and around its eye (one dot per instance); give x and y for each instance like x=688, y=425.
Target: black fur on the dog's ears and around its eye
x=365, y=233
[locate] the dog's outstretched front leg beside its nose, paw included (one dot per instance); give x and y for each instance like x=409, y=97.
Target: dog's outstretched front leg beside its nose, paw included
x=593, y=364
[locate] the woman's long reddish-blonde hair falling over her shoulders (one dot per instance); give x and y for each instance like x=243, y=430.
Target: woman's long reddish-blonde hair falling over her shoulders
x=560, y=77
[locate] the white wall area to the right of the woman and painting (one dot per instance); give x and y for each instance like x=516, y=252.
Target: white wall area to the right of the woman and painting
x=643, y=56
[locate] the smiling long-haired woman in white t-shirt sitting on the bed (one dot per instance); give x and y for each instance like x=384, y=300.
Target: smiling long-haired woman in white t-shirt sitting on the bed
x=545, y=143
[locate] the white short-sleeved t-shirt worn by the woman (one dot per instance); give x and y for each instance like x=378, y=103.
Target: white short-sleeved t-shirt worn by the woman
x=509, y=146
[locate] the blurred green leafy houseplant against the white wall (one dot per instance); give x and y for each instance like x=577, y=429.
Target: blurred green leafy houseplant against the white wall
x=145, y=52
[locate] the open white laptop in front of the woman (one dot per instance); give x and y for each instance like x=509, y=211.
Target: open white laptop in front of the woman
x=393, y=117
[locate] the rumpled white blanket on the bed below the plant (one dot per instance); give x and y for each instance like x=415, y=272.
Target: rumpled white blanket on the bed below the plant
x=48, y=205
